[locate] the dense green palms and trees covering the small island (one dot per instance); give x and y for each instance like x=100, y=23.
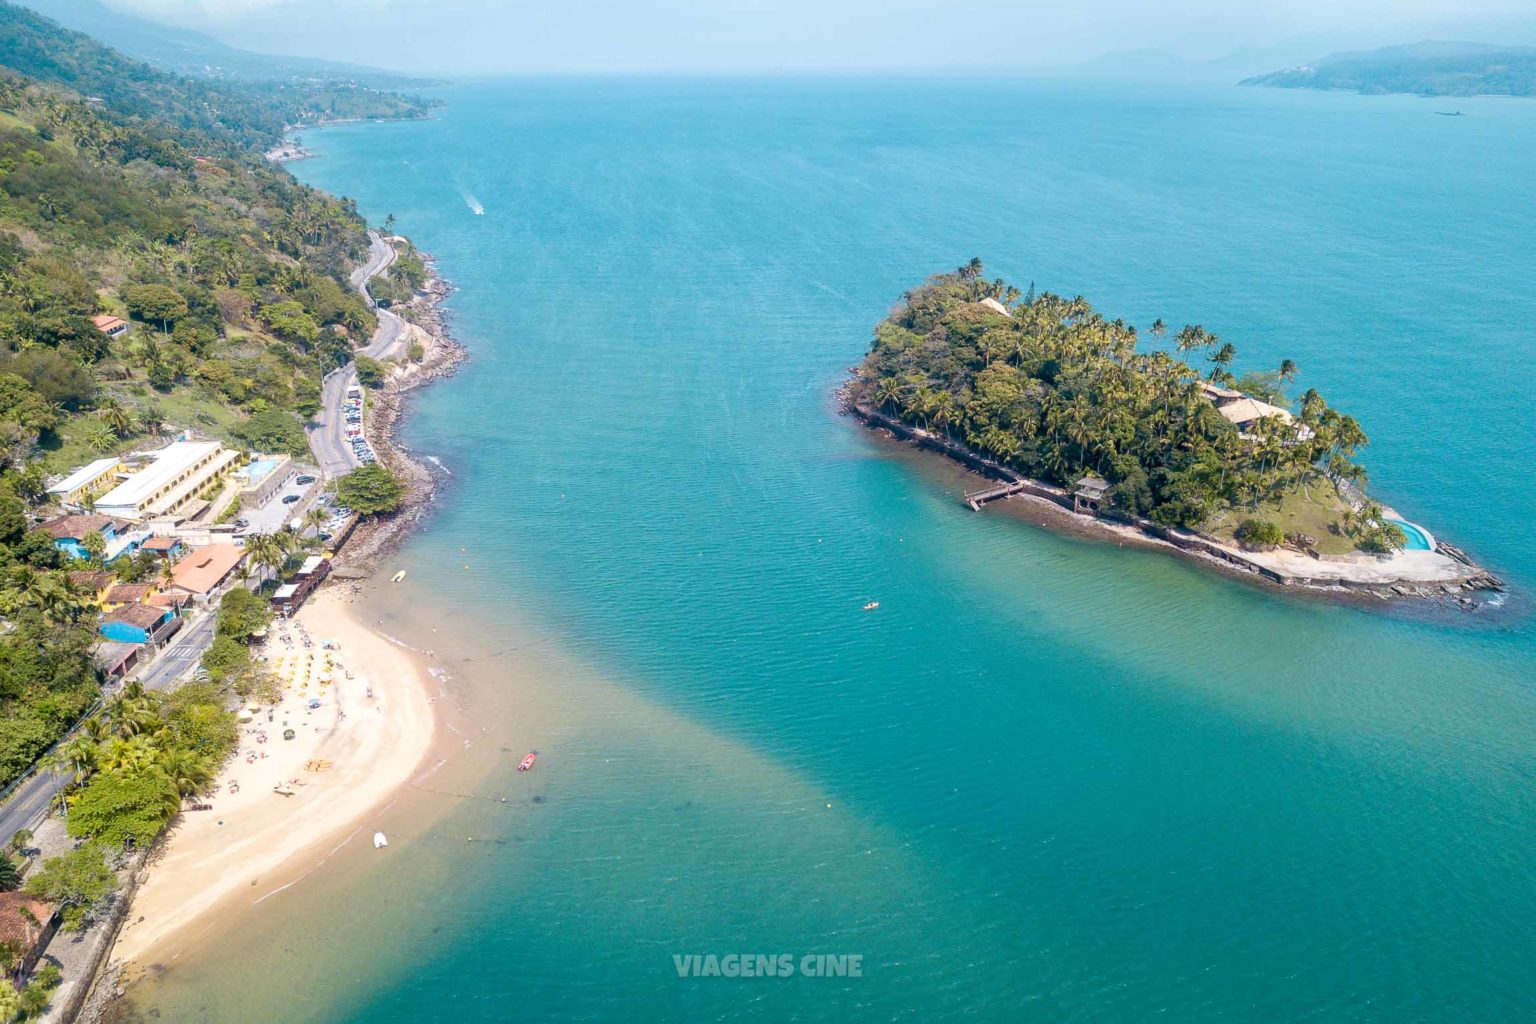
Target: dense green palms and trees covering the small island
x=1056, y=391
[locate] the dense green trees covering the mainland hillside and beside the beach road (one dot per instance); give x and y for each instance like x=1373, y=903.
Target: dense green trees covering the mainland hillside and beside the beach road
x=137, y=194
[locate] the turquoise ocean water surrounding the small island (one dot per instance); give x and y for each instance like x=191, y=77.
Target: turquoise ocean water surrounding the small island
x=1048, y=781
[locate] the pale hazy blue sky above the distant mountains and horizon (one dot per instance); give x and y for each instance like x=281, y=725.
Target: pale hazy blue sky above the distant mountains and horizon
x=583, y=36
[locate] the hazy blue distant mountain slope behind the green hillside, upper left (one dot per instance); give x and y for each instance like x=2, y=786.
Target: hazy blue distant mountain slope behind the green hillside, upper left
x=188, y=53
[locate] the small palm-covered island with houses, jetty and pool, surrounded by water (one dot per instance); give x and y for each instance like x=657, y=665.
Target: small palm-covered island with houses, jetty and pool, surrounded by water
x=1058, y=405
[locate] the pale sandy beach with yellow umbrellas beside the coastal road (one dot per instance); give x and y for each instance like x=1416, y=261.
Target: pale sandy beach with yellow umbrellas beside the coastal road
x=349, y=756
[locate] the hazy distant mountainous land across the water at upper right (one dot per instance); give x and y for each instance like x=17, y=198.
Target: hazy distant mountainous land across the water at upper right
x=1432, y=70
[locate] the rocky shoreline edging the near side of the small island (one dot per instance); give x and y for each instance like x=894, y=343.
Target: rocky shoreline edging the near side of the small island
x=1051, y=507
